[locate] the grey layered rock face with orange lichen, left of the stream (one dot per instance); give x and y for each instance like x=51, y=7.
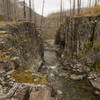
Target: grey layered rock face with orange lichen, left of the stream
x=21, y=47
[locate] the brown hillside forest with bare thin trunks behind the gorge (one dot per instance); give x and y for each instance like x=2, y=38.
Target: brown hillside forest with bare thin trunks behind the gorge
x=15, y=10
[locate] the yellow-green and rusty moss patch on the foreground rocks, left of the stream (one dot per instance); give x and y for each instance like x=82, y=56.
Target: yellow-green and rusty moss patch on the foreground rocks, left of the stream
x=29, y=77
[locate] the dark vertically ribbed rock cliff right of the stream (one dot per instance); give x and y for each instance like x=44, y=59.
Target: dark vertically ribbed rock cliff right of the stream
x=80, y=37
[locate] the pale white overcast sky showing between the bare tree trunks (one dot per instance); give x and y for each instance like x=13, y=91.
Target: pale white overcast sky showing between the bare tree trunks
x=52, y=5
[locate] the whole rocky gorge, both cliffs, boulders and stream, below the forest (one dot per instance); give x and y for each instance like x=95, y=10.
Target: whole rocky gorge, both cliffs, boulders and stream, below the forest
x=63, y=69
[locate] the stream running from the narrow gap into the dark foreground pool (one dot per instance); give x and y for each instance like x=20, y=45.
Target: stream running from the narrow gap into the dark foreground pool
x=67, y=88
